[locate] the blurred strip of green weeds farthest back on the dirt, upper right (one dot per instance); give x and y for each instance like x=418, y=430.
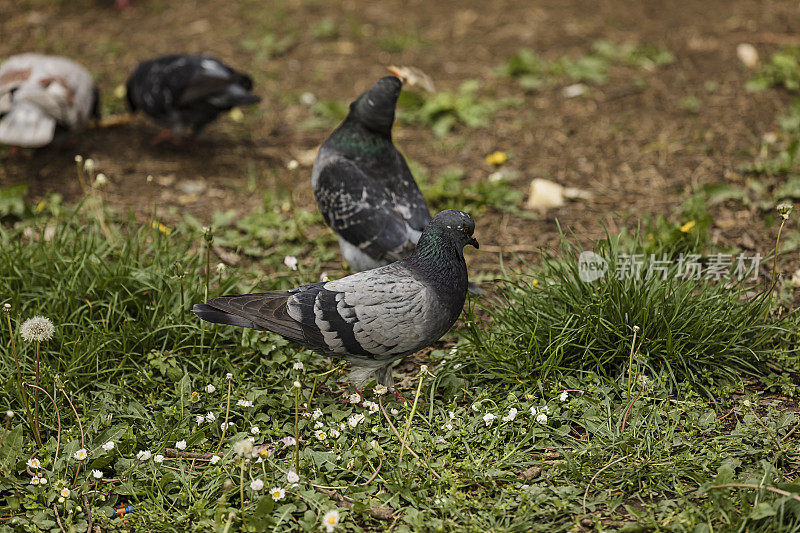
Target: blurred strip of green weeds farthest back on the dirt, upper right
x=534, y=72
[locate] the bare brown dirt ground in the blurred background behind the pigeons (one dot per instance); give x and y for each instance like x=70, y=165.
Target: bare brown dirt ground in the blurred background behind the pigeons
x=638, y=152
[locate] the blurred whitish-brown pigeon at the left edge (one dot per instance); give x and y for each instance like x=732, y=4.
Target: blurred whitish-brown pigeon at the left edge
x=40, y=95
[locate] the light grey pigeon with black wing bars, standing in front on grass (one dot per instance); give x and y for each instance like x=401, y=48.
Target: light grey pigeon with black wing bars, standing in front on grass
x=371, y=318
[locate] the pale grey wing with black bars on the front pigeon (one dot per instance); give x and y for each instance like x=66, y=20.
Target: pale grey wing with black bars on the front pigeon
x=383, y=313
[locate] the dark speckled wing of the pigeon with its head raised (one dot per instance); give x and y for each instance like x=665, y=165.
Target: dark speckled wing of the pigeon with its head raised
x=362, y=211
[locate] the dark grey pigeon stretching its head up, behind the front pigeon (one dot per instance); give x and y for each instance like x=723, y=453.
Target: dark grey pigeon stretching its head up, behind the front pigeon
x=363, y=186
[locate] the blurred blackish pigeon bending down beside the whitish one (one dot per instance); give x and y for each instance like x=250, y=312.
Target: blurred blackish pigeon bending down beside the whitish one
x=186, y=92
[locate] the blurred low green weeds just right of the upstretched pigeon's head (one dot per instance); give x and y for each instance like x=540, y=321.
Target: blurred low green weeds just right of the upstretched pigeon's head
x=445, y=110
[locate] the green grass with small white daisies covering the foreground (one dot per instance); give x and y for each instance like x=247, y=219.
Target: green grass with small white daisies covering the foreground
x=504, y=454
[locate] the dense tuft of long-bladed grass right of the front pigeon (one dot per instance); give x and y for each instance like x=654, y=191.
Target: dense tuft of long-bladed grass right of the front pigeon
x=692, y=331
